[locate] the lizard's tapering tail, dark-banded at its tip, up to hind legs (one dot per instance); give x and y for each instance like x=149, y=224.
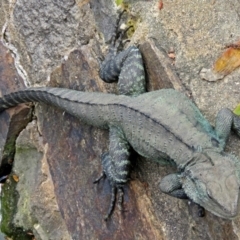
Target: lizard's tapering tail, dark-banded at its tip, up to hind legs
x=92, y=108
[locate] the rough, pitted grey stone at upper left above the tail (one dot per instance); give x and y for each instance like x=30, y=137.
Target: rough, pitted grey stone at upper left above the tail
x=42, y=33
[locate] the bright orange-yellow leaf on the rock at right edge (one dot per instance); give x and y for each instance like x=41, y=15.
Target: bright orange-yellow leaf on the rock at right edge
x=229, y=60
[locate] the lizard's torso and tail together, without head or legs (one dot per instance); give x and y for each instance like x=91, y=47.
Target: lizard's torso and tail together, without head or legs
x=159, y=124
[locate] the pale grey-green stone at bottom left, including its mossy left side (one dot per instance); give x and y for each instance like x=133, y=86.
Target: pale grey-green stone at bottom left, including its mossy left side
x=29, y=195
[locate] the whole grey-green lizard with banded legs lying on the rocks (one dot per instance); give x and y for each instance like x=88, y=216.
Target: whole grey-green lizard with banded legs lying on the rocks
x=162, y=125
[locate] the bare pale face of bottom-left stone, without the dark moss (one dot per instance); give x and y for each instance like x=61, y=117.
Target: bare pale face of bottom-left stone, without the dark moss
x=37, y=208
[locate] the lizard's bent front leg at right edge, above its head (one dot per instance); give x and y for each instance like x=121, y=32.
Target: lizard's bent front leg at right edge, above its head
x=225, y=121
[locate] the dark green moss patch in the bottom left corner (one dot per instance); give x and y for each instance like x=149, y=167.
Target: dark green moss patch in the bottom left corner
x=9, y=199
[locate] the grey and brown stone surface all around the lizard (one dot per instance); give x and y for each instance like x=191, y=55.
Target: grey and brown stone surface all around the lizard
x=57, y=43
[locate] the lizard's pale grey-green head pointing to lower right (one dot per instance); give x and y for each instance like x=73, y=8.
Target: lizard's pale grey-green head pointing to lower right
x=213, y=182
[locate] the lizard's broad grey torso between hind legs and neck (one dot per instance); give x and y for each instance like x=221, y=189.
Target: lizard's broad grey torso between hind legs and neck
x=166, y=124
